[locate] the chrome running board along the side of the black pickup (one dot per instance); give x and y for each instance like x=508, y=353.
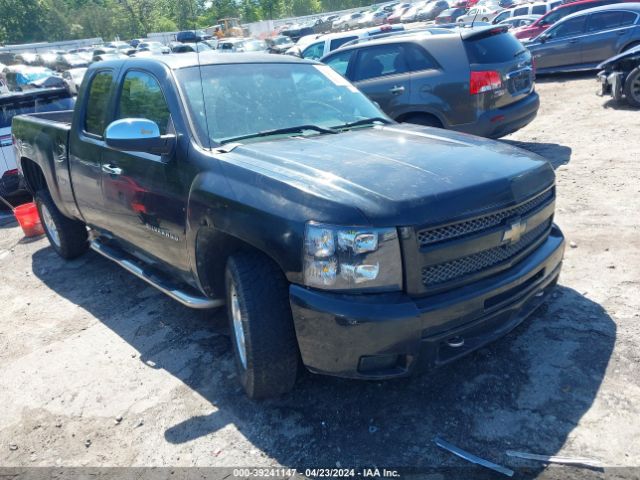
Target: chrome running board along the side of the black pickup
x=186, y=295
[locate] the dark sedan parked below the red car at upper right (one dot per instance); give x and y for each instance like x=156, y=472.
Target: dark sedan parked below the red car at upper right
x=584, y=39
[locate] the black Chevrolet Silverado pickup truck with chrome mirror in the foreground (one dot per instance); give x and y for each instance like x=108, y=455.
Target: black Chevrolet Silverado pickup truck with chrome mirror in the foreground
x=337, y=238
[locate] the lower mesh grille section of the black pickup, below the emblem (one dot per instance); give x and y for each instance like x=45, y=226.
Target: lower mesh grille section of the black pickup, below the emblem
x=460, y=267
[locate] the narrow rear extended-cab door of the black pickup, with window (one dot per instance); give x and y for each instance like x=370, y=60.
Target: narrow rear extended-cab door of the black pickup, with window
x=86, y=144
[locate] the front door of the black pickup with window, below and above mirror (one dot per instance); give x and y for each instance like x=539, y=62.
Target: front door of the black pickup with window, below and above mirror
x=145, y=193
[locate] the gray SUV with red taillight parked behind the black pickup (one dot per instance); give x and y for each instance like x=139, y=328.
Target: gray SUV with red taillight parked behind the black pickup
x=478, y=81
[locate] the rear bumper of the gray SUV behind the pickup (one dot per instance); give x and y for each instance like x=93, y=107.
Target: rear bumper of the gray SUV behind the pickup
x=498, y=122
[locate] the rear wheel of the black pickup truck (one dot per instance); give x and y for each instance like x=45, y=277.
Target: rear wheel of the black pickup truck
x=69, y=238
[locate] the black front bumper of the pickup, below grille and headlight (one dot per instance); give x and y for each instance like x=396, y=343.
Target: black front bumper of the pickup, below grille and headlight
x=392, y=335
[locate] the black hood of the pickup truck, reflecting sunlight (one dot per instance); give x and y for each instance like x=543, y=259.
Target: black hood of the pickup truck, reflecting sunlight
x=402, y=174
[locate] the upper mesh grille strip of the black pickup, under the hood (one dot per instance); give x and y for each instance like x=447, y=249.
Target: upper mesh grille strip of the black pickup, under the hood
x=462, y=229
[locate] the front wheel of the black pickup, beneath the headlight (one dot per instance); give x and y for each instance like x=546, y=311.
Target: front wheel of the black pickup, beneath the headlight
x=267, y=356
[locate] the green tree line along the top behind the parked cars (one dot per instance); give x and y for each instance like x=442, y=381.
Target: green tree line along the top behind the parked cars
x=25, y=21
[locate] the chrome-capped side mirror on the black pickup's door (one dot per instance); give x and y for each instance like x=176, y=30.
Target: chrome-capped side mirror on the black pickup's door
x=138, y=135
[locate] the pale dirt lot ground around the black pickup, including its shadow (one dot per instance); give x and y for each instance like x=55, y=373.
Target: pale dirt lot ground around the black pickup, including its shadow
x=84, y=344
